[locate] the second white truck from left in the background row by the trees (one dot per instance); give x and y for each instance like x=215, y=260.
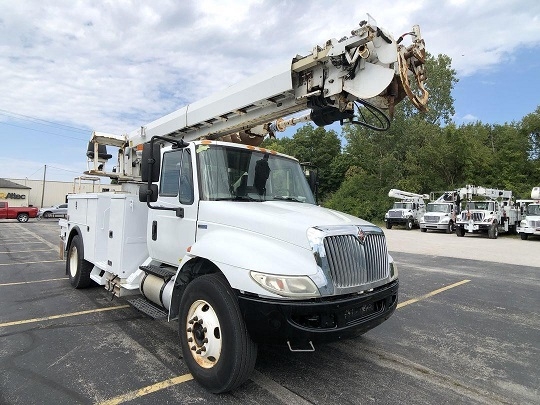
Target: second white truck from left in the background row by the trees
x=441, y=213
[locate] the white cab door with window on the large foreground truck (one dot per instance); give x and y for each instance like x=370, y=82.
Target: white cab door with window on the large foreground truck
x=171, y=232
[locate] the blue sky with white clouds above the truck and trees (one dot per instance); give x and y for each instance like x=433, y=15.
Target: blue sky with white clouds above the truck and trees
x=68, y=68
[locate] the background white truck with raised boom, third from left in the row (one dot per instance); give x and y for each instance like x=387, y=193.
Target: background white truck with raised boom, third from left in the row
x=491, y=211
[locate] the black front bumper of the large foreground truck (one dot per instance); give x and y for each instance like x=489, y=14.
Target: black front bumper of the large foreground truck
x=299, y=322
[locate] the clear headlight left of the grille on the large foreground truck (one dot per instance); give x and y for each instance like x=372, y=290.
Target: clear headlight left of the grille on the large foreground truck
x=293, y=287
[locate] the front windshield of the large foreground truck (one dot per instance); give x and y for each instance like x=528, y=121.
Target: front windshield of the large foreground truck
x=228, y=173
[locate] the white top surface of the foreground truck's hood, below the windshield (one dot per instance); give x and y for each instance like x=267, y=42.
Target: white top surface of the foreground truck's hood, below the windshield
x=284, y=220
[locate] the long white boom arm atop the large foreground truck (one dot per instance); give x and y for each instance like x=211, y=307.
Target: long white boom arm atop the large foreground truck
x=368, y=68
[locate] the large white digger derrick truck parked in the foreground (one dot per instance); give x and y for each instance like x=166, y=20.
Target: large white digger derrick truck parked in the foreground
x=223, y=235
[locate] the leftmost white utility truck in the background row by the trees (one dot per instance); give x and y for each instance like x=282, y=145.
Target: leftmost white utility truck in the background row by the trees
x=408, y=211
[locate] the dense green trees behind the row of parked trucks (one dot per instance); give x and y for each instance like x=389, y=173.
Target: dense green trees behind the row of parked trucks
x=420, y=153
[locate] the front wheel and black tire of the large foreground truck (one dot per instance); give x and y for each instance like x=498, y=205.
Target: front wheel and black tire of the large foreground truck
x=229, y=356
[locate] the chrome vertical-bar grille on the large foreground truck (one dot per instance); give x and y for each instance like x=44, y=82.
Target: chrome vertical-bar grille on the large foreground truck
x=353, y=263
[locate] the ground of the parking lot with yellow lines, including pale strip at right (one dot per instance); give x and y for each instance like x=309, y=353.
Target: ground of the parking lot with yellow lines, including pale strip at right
x=467, y=331
